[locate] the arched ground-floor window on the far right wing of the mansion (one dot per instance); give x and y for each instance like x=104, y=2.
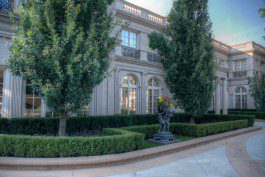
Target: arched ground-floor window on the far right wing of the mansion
x=241, y=98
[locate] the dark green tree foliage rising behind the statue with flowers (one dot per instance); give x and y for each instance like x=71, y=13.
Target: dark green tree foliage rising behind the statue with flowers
x=187, y=55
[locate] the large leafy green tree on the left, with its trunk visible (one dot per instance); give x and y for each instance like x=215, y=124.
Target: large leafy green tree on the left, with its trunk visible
x=63, y=48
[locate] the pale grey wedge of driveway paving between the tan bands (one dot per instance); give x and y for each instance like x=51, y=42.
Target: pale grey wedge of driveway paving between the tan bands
x=213, y=163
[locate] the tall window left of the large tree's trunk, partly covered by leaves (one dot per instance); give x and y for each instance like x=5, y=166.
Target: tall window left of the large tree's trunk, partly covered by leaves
x=33, y=102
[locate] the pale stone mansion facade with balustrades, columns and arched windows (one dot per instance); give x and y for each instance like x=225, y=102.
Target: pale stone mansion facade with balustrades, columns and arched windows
x=136, y=77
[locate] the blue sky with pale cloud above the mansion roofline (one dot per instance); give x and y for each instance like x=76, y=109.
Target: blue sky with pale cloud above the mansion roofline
x=234, y=21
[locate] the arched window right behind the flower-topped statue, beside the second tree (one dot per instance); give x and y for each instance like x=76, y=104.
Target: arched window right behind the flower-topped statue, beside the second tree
x=153, y=91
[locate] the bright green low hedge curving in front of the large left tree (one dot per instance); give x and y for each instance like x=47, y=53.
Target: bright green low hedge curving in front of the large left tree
x=120, y=141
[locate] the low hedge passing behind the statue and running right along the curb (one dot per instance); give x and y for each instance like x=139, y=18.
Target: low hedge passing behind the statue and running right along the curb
x=194, y=130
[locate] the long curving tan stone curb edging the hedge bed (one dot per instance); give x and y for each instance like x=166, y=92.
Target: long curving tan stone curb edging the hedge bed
x=115, y=159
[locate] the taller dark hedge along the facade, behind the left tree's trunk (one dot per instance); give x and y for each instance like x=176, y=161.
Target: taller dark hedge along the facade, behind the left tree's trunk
x=43, y=126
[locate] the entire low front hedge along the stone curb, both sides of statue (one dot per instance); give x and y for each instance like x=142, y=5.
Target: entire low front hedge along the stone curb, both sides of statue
x=115, y=140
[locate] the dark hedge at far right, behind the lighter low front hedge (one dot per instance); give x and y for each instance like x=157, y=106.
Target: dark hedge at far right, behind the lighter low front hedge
x=211, y=118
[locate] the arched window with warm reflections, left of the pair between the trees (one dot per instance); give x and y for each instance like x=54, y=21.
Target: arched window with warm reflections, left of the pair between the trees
x=128, y=92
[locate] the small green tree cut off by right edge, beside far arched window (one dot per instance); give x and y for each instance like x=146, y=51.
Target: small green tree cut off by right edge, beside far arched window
x=257, y=86
